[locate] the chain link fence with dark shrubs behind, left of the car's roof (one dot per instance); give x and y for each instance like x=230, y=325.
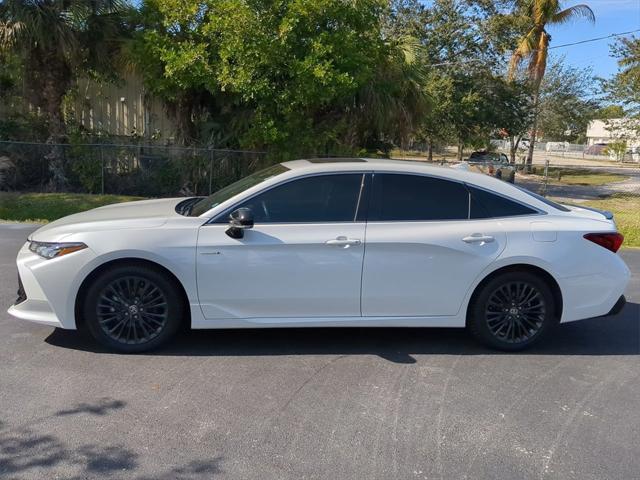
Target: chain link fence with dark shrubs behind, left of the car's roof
x=141, y=170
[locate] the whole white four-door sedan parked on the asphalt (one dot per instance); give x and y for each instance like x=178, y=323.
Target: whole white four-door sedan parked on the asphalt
x=317, y=243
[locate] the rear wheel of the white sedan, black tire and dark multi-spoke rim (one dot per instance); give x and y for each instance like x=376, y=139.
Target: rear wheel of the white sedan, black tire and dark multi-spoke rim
x=512, y=311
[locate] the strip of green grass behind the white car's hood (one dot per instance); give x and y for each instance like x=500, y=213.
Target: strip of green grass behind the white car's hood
x=46, y=207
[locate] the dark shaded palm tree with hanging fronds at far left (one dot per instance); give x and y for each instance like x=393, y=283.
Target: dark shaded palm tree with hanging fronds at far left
x=58, y=41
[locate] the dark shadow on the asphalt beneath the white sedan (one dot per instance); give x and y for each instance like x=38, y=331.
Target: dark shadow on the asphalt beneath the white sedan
x=619, y=335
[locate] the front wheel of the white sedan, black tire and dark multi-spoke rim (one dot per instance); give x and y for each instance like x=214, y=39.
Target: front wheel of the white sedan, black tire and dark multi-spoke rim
x=133, y=308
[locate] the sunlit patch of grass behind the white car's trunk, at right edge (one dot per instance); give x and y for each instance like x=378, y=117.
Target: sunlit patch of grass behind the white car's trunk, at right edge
x=626, y=212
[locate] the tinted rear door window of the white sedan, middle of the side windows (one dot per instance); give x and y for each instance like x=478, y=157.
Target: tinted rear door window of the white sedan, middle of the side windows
x=415, y=197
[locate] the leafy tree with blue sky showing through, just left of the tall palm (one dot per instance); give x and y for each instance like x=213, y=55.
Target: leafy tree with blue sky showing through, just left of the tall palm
x=463, y=43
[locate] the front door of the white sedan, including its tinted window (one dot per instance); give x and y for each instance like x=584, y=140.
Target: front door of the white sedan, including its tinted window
x=302, y=258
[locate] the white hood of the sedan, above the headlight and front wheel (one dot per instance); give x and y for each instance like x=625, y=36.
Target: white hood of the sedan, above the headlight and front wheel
x=141, y=214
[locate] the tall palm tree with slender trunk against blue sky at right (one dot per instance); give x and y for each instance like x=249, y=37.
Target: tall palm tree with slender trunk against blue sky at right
x=534, y=45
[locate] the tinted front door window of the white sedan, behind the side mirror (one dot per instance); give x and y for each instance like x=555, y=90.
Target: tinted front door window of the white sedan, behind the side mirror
x=324, y=198
